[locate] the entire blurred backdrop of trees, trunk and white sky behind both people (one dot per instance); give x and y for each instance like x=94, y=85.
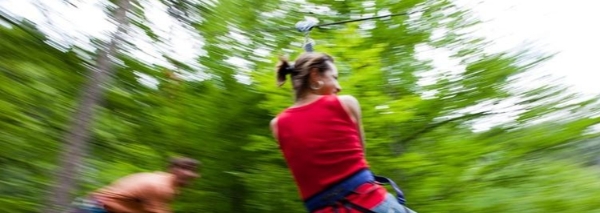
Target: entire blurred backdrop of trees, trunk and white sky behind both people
x=470, y=105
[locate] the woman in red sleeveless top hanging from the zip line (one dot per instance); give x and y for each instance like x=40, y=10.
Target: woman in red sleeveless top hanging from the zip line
x=322, y=140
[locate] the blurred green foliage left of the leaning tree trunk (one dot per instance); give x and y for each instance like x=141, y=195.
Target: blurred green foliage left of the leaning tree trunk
x=37, y=82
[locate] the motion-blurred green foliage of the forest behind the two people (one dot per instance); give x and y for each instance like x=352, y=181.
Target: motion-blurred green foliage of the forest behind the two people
x=543, y=161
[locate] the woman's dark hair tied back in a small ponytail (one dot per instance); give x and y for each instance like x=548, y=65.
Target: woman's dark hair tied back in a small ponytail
x=300, y=70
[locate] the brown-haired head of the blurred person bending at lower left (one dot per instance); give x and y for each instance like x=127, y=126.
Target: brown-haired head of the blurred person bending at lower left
x=184, y=169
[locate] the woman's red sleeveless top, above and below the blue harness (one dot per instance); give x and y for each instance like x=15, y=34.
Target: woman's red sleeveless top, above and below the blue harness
x=322, y=146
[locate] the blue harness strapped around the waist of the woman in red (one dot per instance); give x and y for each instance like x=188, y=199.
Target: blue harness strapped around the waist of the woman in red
x=337, y=193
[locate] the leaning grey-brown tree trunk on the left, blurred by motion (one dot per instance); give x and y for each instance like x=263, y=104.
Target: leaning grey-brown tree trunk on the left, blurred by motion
x=76, y=139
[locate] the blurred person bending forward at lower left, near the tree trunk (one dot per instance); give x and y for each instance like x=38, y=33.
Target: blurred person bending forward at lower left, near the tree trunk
x=146, y=192
